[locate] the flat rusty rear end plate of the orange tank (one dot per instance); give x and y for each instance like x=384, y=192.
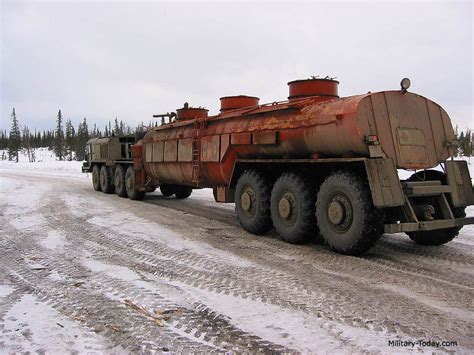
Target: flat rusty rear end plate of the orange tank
x=413, y=130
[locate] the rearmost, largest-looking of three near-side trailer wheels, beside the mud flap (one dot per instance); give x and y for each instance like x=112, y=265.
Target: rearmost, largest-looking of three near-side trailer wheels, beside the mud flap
x=346, y=217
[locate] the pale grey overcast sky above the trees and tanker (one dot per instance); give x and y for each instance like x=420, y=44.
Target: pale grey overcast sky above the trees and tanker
x=132, y=59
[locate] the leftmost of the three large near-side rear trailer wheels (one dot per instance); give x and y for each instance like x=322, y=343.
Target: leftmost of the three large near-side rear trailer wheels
x=252, y=202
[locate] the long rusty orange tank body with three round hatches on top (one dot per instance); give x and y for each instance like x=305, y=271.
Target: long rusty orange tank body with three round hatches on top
x=201, y=151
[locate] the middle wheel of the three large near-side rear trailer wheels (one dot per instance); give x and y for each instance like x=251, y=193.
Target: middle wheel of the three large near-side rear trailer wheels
x=293, y=208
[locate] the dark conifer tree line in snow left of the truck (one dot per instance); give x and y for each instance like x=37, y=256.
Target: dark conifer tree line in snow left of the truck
x=66, y=141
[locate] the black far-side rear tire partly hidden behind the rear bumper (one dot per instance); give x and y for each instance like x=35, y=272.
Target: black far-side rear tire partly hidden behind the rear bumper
x=438, y=236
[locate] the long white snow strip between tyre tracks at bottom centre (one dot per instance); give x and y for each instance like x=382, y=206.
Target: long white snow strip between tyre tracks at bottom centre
x=293, y=329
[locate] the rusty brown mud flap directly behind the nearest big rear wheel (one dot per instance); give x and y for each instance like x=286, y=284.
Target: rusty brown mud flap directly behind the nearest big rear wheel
x=384, y=183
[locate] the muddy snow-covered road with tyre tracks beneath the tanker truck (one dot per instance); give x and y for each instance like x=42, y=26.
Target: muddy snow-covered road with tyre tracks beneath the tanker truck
x=89, y=272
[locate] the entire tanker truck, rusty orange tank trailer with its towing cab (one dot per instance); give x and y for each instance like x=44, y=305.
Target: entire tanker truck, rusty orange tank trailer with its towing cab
x=316, y=164
